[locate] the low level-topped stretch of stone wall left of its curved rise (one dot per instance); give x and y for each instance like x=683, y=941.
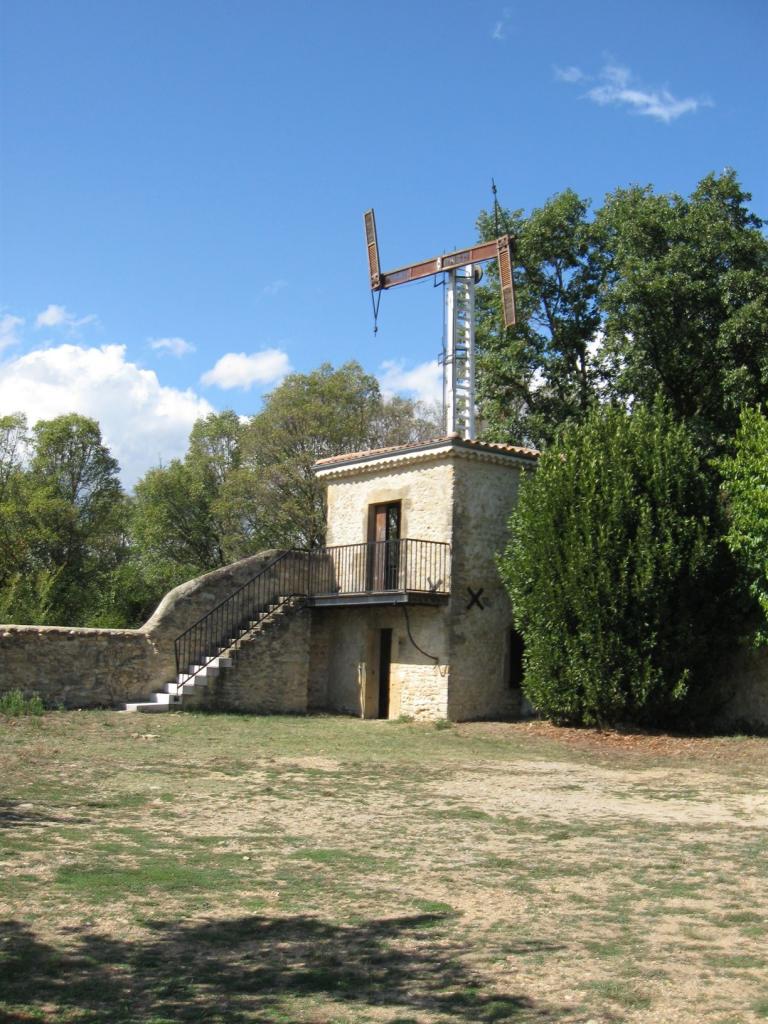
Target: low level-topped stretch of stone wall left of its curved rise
x=77, y=668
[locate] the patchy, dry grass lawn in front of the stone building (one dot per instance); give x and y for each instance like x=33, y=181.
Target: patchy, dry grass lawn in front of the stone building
x=327, y=871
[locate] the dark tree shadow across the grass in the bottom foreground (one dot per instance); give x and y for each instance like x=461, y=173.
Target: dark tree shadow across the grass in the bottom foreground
x=251, y=969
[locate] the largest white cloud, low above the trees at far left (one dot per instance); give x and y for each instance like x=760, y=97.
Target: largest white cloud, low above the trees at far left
x=142, y=420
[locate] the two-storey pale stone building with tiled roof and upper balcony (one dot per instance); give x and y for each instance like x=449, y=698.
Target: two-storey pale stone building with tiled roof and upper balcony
x=419, y=624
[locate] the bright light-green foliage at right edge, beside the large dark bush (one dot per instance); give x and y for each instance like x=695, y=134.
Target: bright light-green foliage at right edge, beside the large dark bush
x=746, y=487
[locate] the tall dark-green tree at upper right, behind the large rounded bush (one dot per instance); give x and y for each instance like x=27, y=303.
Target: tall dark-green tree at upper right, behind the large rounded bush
x=686, y=302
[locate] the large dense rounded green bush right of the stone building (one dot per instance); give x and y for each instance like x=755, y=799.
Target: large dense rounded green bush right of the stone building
x=612, y=569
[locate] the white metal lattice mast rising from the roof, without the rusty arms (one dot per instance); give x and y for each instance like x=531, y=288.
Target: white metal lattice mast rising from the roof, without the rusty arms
x=459, y=355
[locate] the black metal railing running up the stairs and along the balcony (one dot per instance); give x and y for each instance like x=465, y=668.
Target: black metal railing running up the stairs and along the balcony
x=379, y=568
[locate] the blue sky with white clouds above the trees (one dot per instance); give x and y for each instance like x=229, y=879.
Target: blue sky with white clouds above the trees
x=184, y=183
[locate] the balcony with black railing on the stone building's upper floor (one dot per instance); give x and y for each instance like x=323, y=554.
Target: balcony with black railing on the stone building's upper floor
x=402, y=572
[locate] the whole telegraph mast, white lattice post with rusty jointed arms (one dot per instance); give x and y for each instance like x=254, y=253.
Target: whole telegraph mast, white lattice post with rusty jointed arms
x=462, y=272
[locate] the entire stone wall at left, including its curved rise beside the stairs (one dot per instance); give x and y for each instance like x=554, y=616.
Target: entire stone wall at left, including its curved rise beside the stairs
x=89, y=668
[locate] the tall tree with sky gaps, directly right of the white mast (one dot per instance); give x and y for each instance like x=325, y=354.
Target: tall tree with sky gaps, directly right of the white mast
x=547, y=369
